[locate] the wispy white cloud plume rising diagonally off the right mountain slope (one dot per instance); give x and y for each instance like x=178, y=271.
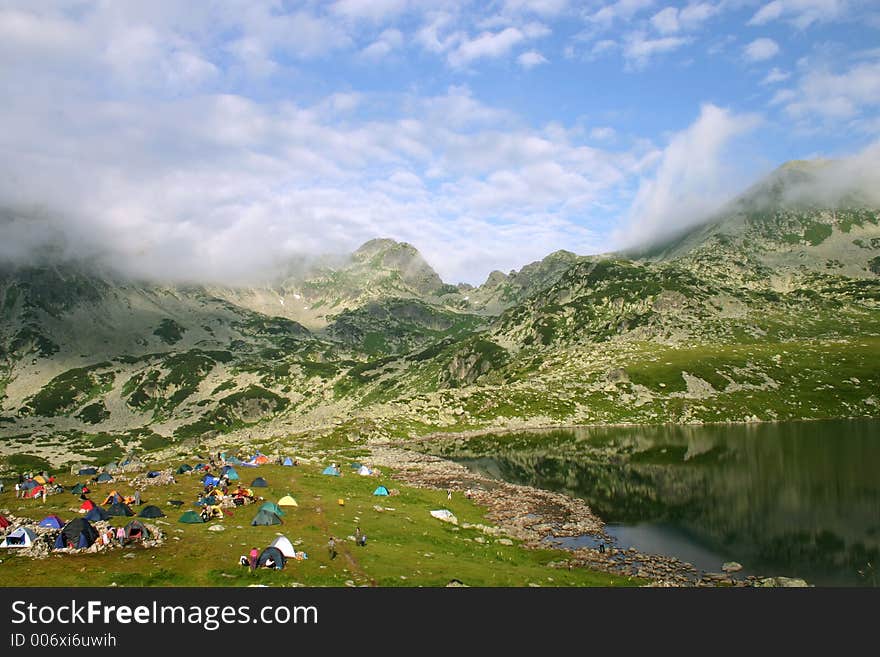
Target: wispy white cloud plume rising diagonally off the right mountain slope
x=692, y=178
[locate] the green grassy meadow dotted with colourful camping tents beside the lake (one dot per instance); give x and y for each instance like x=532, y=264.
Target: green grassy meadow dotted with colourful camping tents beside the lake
x=197, y=521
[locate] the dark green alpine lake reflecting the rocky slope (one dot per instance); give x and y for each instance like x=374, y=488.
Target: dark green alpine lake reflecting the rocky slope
x=793, y=499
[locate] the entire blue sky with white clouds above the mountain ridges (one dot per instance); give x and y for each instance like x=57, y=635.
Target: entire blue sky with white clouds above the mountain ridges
x=214, y=140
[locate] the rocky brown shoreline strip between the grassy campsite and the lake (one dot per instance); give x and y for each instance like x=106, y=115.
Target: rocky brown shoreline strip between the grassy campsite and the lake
x=536, y=517
